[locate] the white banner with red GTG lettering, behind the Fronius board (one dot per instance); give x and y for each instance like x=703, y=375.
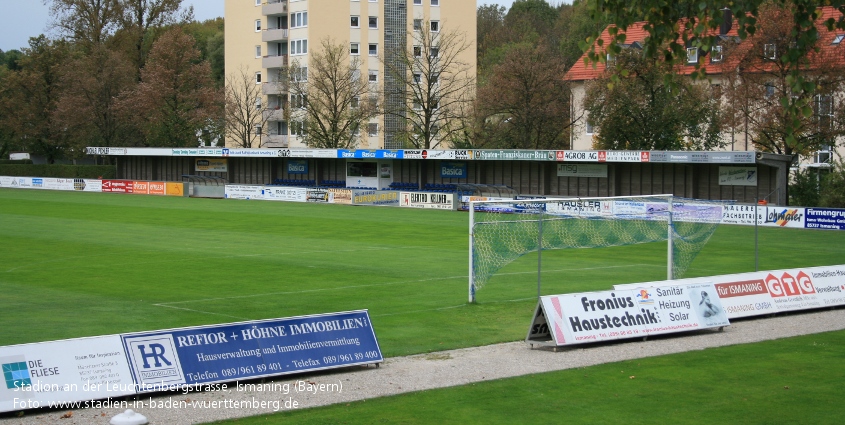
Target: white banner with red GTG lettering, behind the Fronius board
x=767, y=292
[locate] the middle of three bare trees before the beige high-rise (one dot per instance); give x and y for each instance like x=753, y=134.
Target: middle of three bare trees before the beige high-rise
x=330, y=99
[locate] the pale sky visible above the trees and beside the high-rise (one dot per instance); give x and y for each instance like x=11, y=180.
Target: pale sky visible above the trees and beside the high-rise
x=22, y=19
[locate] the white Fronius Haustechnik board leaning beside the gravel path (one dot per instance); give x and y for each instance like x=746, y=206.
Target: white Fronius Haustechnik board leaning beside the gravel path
x=608, y=315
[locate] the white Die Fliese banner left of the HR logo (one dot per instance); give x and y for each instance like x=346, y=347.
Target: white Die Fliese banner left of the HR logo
x=74, y=370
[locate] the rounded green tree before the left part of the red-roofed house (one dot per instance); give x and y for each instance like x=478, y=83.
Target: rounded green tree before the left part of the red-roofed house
x=643, y=104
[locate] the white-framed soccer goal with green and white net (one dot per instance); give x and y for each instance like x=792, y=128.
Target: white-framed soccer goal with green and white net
x=503, y=230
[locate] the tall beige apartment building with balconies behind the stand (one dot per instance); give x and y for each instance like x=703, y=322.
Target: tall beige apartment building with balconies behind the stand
x=265, y=36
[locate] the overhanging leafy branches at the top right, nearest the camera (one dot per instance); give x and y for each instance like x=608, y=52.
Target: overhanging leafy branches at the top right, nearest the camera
x=674, y=26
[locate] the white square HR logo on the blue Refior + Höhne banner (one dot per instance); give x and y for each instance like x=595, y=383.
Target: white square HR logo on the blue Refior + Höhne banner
x=155, y=359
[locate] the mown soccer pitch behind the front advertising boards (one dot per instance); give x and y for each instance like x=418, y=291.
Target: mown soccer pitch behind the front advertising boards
x=83, y=264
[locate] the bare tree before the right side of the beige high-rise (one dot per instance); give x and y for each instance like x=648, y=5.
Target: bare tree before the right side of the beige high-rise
x=434, y=87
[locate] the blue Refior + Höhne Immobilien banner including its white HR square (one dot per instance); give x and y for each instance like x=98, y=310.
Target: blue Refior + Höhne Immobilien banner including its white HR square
x=165, y=359
